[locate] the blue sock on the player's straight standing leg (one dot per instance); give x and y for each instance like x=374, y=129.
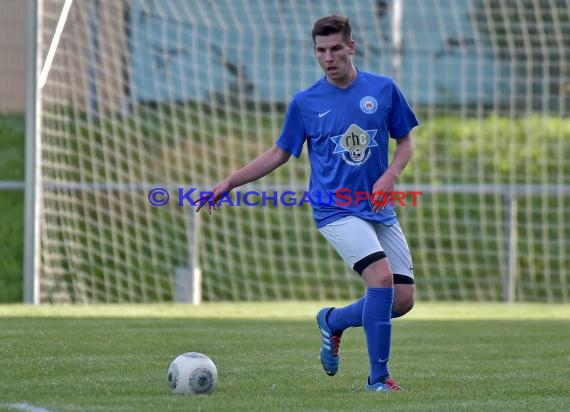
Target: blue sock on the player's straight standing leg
x=376, y=320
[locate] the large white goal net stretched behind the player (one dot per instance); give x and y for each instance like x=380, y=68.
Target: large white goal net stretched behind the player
x=133, y=96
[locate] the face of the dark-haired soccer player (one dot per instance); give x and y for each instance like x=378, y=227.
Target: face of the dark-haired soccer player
x=334, y=56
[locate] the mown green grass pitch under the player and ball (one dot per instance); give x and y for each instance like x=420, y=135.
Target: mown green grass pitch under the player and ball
x=449, y=357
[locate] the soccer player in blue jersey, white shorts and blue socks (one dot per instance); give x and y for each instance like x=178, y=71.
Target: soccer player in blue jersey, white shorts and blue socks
x=346, y=119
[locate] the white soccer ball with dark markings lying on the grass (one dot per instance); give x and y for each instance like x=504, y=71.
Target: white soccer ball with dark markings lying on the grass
x=192, y=373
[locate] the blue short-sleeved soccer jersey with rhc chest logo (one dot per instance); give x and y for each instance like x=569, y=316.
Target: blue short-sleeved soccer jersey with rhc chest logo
x=347, y=132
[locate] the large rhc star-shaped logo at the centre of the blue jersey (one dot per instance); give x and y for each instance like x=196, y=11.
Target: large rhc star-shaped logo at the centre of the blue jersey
x=354, y=144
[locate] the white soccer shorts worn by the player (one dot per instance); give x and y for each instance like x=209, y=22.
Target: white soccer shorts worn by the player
x=354, y=239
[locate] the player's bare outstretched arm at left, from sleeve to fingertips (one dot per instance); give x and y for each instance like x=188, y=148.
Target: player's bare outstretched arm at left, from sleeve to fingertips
x=262, y=165
